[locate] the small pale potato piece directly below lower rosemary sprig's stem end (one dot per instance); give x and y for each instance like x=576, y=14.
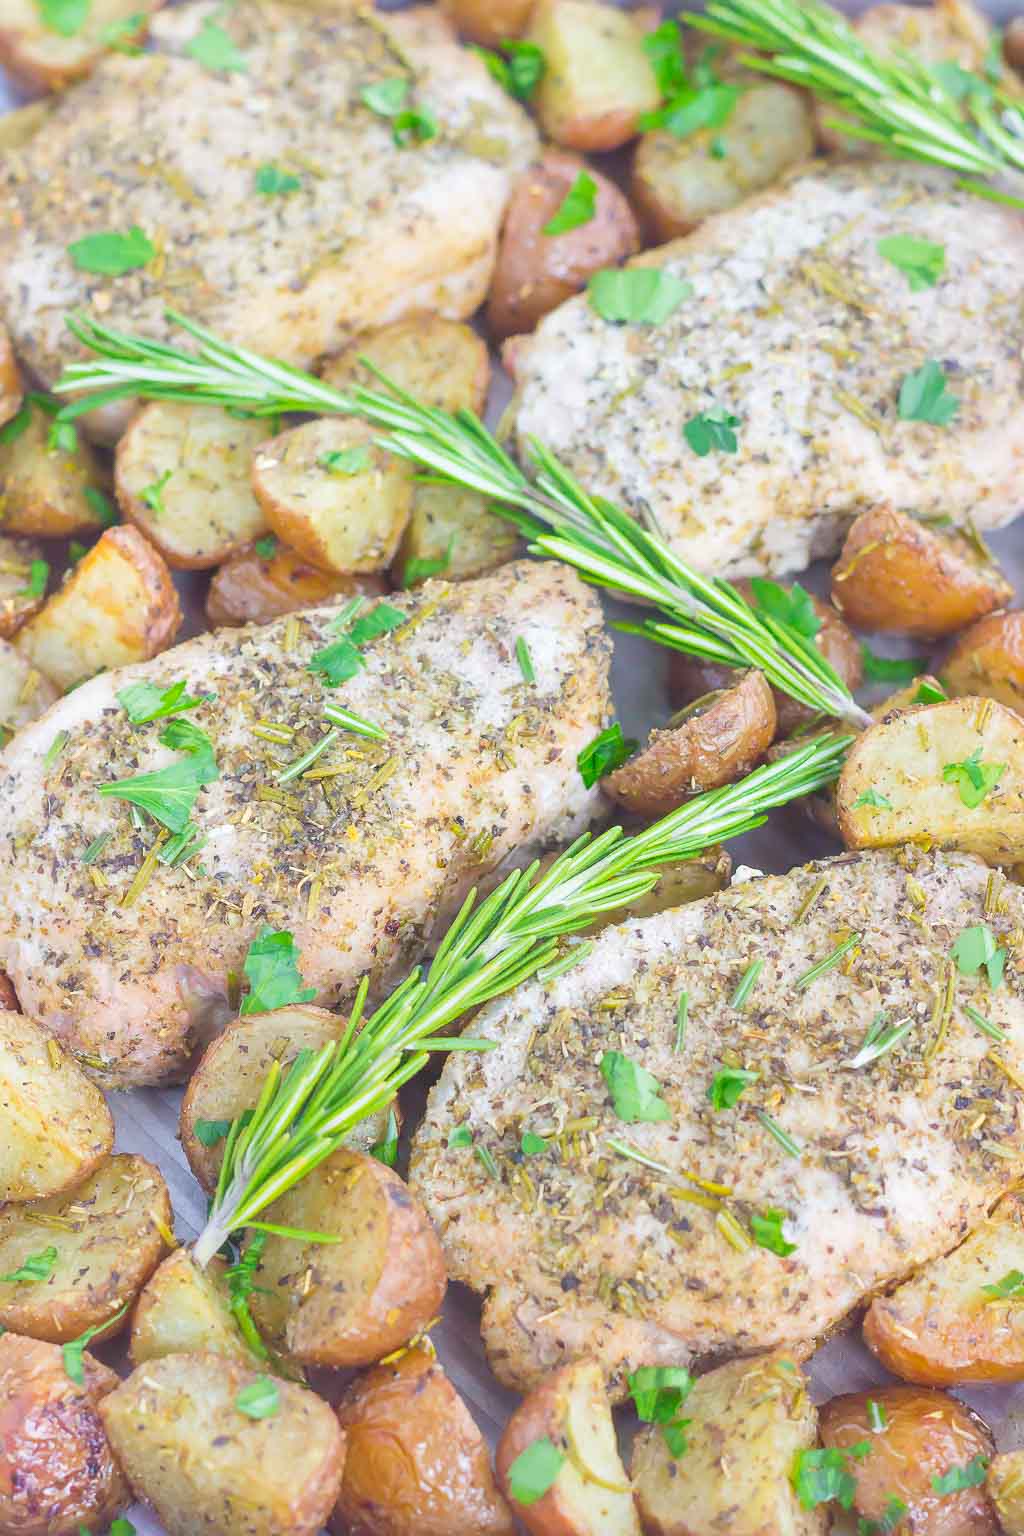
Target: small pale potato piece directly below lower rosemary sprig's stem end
x=187, y=1311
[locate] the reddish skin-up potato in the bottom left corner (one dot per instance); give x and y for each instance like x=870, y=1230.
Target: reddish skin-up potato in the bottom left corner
x=58, y=1472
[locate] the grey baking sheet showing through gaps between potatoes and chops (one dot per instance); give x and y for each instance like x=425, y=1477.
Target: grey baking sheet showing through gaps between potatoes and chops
x=148, y=1119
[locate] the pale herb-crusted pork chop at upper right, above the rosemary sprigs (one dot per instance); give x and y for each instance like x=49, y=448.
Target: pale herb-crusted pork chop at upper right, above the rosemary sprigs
x=801, y=329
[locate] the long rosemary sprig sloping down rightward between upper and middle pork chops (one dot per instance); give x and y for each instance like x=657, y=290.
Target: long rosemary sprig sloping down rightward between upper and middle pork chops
x=704, y=617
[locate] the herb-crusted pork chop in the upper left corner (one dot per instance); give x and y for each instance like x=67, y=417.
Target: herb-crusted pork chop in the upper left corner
x=374, y=231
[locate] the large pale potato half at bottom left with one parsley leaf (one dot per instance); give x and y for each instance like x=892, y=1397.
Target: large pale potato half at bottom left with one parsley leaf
x=203, y=1465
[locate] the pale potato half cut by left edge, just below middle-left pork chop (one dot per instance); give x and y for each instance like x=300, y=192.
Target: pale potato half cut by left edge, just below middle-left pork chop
x=56, y=1125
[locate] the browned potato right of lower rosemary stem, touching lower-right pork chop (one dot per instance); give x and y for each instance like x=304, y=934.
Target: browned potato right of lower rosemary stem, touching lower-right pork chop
x=349, y=1303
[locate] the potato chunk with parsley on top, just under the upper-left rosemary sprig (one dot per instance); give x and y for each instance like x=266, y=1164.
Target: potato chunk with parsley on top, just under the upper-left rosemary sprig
x=334, y=497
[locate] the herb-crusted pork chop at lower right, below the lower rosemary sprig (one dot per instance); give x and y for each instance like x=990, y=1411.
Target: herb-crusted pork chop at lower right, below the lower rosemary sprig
x=584, y=1250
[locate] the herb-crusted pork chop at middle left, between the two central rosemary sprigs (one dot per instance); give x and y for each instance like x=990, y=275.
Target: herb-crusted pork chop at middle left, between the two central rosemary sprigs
x=360, y=859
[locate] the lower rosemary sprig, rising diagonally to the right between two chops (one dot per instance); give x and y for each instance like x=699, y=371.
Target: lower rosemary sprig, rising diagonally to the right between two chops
x=494, y=945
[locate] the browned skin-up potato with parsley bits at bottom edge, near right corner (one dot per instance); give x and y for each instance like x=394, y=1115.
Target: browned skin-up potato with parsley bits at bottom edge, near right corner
x=927, y=1435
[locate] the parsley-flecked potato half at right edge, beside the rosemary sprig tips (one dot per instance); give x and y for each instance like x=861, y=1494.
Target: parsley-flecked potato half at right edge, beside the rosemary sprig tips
x=902, y=781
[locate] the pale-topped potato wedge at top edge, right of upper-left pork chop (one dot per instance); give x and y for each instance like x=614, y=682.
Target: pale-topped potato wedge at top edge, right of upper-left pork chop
x=598, y=82
